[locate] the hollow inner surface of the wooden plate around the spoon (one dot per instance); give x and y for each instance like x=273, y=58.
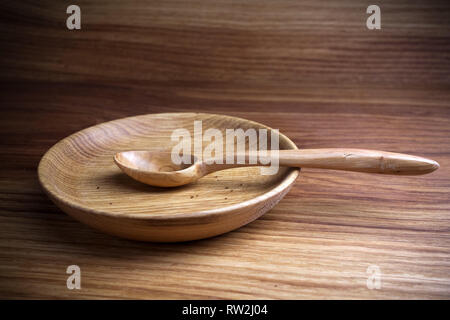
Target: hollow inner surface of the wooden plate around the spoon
x=81, y=170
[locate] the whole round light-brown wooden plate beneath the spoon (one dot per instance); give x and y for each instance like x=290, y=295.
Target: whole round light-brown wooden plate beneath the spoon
x=79, y=175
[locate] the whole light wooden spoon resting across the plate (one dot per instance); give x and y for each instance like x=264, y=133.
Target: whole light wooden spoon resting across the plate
x=157, y=169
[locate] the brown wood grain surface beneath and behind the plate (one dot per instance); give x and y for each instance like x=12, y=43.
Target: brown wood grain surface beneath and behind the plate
x=309, y=68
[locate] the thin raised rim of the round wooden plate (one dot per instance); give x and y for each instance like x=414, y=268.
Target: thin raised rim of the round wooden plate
x=285, y=183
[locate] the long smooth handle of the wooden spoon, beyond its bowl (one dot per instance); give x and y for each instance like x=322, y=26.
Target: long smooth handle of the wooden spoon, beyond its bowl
x=356, y=160
